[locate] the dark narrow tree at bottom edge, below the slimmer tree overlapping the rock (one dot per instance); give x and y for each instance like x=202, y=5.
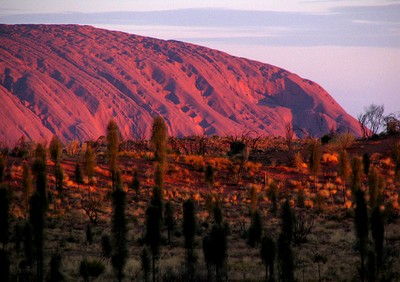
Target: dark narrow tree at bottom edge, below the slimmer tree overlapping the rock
x=119, y=232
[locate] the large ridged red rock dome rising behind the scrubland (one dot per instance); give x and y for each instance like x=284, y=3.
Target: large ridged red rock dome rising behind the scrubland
x=70, y=80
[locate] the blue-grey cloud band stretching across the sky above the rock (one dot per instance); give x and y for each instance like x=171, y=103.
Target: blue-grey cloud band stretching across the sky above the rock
x=370, y=26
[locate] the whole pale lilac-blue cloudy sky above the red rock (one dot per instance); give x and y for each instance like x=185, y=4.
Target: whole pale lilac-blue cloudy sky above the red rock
x=351, y=48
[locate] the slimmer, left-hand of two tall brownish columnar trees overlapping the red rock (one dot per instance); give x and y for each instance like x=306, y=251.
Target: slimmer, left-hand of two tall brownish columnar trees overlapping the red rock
x=112, y=149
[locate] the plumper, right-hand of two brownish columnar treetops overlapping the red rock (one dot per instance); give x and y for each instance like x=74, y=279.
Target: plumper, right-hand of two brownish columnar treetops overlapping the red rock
x=159, y=136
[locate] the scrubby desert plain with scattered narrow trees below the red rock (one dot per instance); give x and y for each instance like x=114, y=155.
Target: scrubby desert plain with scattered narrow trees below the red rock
x=235, y=208
